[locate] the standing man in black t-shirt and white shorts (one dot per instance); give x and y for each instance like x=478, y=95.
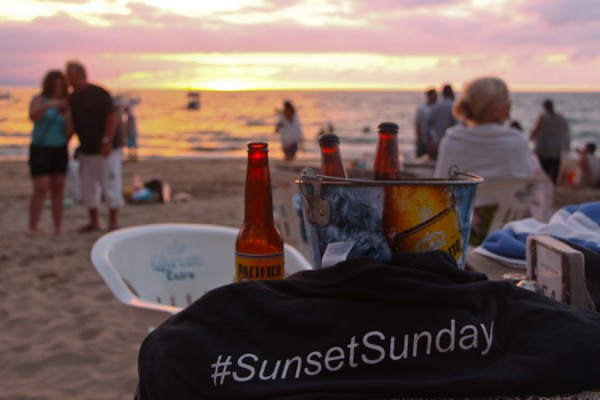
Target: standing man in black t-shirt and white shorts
x=95, y=123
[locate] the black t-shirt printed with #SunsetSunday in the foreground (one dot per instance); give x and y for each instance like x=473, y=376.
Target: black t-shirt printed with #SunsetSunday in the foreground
x=416, y=326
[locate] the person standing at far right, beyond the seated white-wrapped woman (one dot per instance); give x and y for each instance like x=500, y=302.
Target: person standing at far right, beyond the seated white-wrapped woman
x=551, y=137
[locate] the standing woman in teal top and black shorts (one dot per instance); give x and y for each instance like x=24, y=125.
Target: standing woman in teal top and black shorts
x=48, y=153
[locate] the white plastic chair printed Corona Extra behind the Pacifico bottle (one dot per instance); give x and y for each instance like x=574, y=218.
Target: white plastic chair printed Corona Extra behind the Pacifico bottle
x=159, y=269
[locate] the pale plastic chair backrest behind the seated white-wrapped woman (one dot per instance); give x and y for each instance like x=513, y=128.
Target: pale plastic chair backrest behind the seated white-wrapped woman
x=512, y=196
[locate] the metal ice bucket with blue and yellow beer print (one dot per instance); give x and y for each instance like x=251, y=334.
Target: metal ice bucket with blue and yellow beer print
x=351, y=218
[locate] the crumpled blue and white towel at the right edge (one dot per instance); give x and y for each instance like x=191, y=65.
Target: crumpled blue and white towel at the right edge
x=579, y=224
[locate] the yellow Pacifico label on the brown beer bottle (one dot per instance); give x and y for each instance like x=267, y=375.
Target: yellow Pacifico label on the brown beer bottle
x=258, y=267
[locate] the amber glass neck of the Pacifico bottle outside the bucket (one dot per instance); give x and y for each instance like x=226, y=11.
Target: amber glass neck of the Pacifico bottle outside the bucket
x=258, y=207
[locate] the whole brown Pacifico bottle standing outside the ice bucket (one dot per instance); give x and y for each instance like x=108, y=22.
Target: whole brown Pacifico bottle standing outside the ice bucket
x=259, y=245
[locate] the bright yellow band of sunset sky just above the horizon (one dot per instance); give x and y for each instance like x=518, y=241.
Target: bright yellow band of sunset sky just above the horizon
x=252, y=71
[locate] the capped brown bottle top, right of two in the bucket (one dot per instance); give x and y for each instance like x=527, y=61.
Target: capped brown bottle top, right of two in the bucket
x=387, y=158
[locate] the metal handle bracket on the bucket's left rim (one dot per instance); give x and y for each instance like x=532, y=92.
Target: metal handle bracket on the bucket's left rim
x=317, y=209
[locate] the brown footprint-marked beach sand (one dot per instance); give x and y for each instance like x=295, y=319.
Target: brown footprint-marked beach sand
x=62, y=332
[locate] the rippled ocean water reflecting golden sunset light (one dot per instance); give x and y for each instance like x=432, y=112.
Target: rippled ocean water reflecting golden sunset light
x=226, y=121
